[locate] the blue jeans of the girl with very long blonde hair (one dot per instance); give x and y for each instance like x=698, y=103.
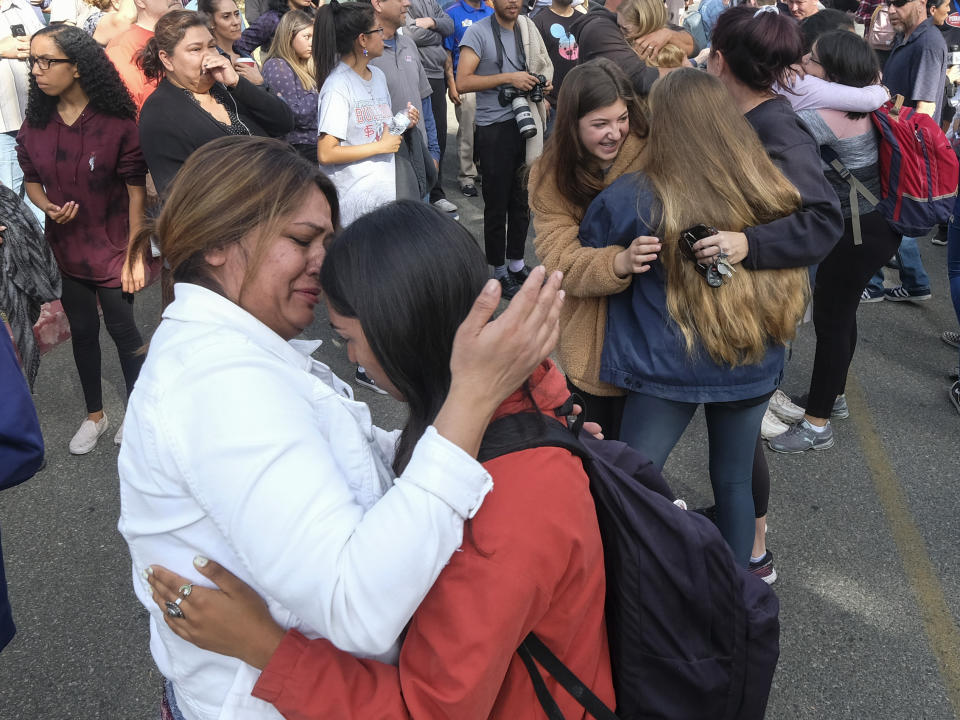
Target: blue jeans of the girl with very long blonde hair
x=653, y=426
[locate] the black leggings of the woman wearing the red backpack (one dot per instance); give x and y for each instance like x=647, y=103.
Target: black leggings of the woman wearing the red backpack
x=841, y=278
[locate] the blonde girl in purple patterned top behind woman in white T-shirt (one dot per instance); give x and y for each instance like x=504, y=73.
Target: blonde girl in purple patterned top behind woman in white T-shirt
x=289, y=71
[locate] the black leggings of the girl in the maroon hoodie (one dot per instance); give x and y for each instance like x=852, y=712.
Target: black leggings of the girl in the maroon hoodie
x=79, y=299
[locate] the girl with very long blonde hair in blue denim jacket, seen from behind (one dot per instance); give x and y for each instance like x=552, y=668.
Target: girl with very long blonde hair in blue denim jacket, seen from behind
x=694, y=331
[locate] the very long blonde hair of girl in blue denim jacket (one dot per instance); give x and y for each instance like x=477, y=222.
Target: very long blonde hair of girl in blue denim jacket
x=707, y=165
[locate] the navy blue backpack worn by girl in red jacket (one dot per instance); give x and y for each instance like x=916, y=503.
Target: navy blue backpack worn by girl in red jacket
x=692, y=635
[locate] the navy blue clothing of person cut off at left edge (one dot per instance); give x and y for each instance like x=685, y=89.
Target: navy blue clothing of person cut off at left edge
x=21, y=450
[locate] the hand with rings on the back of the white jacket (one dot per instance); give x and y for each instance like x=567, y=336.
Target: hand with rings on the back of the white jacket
x=232, y=620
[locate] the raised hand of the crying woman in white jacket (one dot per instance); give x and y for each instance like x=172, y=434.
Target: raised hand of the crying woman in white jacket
x=492, y=359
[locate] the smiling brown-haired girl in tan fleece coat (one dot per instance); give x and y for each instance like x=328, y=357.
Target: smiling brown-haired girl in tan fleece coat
x=599, y=132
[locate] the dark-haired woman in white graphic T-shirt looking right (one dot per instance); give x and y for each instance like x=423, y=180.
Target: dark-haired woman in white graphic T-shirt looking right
x=354, y=145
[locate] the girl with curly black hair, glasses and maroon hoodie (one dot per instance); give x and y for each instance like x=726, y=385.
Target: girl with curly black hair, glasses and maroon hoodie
x=83, y=167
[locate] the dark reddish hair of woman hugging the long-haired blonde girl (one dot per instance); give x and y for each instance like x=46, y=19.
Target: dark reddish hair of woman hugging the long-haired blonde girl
x=757, y=47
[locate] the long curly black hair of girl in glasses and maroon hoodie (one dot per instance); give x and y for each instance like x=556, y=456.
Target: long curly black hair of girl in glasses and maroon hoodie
x=97, y=76
